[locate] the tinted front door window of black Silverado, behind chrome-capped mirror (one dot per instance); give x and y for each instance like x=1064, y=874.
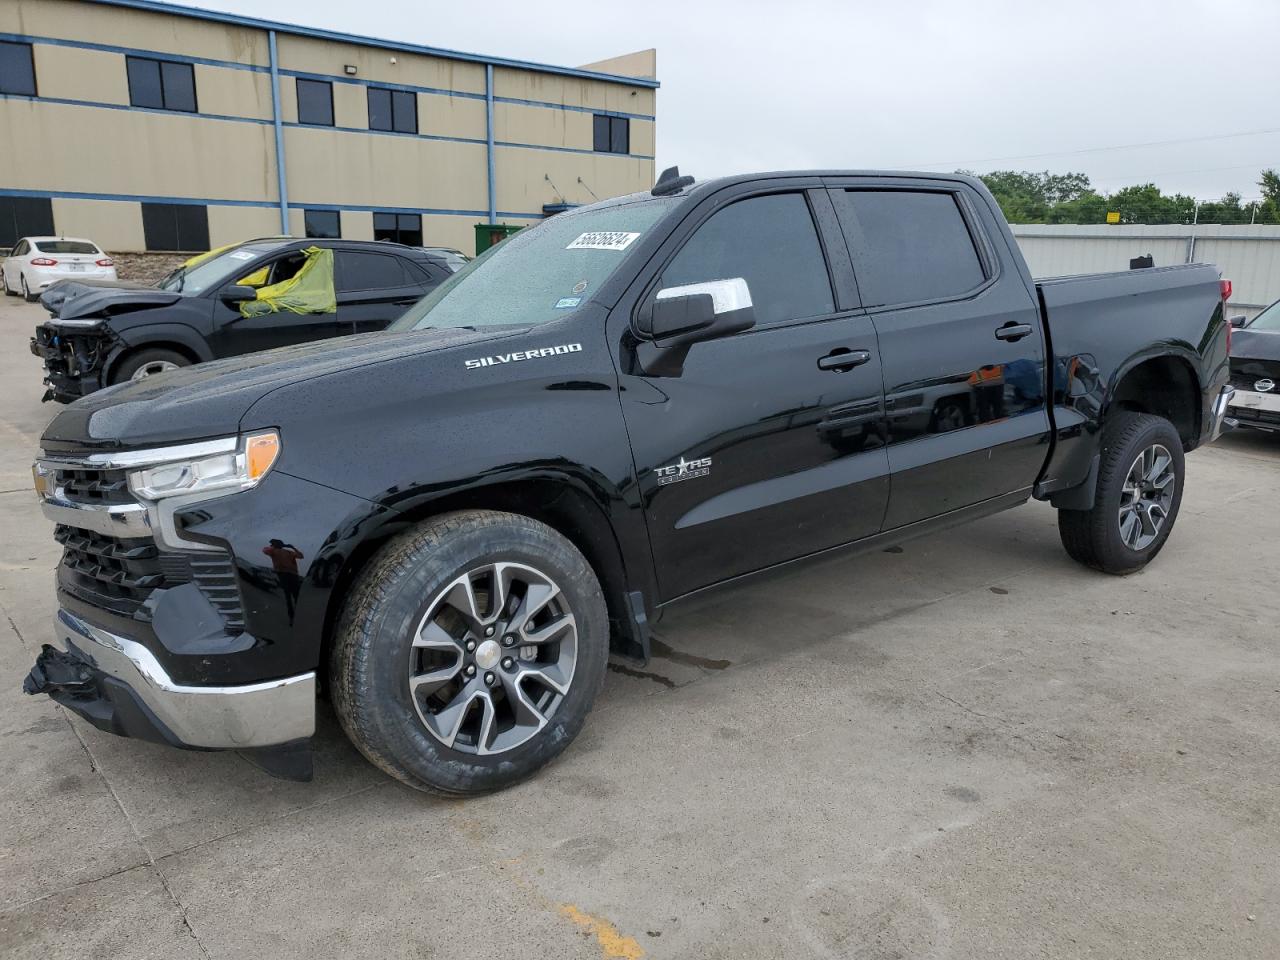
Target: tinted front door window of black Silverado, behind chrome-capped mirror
x=770, y=243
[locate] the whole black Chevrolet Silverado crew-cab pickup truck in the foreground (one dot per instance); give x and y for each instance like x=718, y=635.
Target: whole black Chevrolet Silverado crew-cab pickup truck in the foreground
x=451, y=525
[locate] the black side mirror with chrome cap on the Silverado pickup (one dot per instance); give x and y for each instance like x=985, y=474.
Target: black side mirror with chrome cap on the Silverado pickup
x=682, y=317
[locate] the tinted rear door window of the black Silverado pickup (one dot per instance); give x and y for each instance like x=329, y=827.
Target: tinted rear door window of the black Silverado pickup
x=908, y=246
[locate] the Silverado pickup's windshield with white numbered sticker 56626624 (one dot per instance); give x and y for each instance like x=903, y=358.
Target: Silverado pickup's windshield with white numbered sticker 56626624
x=542, y=273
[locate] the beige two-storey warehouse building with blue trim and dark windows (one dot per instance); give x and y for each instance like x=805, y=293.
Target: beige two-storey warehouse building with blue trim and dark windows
x=148, y=126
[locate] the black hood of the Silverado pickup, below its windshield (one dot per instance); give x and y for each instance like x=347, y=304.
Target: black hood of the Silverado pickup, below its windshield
x=209, y=400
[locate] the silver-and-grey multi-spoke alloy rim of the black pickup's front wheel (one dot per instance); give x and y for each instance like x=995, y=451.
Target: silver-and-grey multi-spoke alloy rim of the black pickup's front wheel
x=493, y=659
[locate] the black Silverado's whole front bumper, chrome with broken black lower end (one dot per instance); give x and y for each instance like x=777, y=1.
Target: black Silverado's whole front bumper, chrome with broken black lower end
x=118, y=685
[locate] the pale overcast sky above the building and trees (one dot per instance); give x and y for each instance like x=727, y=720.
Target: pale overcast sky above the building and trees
x=755, y=85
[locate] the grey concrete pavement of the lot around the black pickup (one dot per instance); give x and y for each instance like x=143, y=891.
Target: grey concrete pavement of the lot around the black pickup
x=968, y=748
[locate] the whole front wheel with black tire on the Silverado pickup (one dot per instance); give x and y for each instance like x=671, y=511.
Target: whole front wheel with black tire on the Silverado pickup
x=396, y=619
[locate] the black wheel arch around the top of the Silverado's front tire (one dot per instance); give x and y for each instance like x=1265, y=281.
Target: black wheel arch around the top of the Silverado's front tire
x=563, y=502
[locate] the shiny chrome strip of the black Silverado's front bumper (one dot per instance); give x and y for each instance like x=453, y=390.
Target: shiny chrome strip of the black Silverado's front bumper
x=214, y=717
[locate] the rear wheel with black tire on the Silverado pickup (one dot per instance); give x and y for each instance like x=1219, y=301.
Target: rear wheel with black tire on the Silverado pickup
x=1114, y=537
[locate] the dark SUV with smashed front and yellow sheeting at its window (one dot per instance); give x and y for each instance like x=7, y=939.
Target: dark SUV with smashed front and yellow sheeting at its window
x=222, y=305
